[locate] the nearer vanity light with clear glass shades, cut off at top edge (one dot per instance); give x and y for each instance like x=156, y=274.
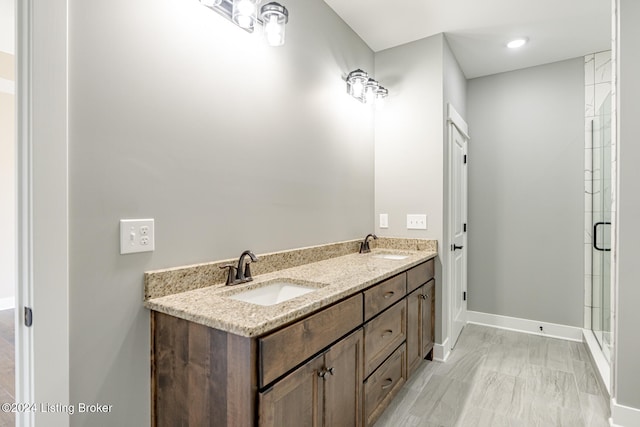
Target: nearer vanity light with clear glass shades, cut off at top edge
x=244, y=13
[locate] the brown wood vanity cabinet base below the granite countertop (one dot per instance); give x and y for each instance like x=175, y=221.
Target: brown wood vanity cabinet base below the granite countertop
x=339, y=366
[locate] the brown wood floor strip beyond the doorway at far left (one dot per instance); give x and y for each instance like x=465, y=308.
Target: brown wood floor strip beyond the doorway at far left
x=7, y=366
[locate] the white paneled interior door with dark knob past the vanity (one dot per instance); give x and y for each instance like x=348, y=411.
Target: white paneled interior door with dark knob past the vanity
x=458, y=139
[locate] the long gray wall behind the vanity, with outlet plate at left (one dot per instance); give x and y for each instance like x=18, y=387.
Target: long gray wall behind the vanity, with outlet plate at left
x=178, y=115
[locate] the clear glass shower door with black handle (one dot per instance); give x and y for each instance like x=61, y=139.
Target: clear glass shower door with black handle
x=602, y=213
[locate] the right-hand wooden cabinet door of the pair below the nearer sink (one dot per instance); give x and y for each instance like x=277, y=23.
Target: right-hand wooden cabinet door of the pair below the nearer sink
x=343, y=382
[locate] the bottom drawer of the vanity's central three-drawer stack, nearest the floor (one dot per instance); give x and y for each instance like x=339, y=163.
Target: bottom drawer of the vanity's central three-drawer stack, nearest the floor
x=384, y=384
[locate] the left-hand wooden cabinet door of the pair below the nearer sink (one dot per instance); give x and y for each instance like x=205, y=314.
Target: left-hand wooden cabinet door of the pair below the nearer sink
x=295, y=400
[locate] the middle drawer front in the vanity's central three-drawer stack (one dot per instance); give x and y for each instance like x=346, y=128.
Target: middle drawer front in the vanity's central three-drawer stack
x=383, y=335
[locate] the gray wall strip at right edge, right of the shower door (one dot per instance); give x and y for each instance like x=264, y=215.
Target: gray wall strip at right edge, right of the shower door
x=627, y=368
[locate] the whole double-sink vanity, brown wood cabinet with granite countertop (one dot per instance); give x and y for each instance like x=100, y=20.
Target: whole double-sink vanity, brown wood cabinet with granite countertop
x=335, y=356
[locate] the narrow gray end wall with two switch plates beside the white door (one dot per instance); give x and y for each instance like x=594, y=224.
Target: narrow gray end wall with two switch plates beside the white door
x=409, y=145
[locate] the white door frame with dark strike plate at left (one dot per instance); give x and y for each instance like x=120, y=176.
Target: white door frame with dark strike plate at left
x=42, y=350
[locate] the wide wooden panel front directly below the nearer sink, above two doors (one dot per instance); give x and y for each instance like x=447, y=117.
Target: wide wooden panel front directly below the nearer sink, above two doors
x=281, y=351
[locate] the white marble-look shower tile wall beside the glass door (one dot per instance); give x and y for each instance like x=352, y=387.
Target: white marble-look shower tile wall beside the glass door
x=598, y=86
